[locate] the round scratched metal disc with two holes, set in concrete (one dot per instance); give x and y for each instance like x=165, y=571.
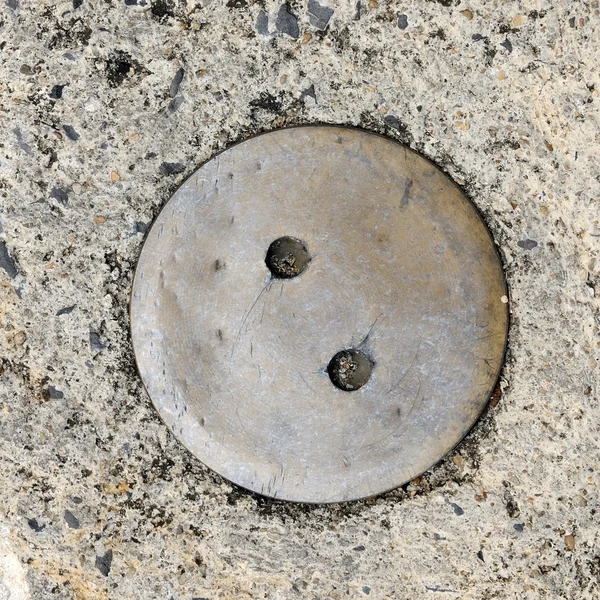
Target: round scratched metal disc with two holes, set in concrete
x=402, y=268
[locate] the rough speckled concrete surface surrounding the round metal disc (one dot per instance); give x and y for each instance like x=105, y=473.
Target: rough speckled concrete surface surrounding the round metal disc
x=106, y=107
